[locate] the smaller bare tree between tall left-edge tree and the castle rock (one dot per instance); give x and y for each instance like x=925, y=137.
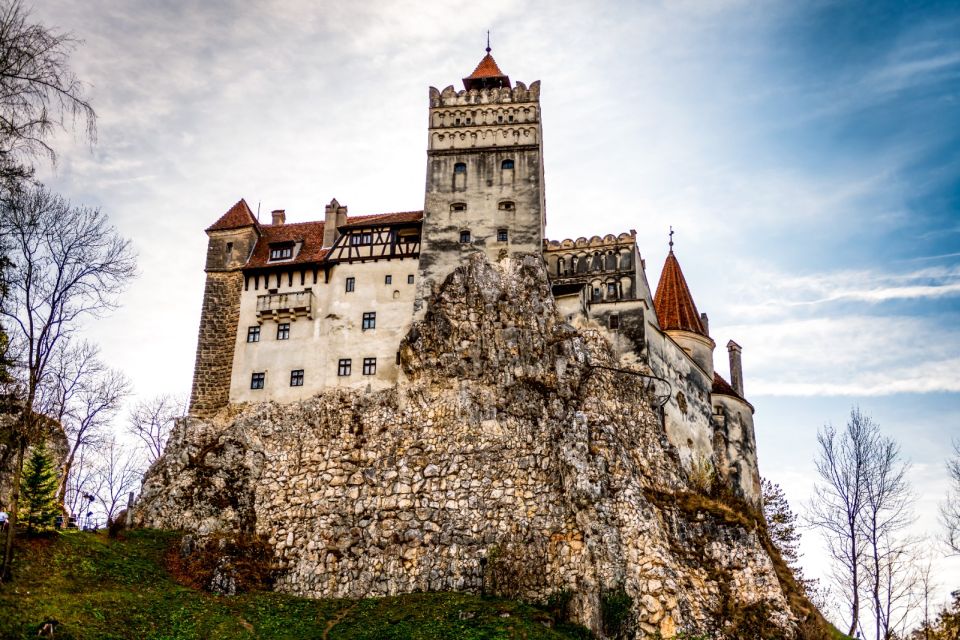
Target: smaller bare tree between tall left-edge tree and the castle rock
x=83, y=395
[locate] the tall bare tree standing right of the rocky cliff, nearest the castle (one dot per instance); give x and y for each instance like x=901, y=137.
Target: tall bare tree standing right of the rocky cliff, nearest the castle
x=840, y=499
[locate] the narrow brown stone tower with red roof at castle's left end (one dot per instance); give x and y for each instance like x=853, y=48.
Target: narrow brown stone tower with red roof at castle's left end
x=231, y=240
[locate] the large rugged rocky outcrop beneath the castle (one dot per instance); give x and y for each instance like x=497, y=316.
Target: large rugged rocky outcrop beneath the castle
x=513, y=456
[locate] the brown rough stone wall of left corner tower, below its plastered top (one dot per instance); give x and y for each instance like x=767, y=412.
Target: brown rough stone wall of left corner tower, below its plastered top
x=216, y=342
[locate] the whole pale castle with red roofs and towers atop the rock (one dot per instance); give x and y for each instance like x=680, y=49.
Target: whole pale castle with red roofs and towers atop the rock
x=291, y=310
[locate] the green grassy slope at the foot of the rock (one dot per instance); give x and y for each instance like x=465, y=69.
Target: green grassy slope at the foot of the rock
x=100, y=588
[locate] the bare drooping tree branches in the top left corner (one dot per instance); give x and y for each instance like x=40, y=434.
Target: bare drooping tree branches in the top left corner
x=39, y=93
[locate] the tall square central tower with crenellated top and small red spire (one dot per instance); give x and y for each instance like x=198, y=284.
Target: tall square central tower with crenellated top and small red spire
x=484, y=187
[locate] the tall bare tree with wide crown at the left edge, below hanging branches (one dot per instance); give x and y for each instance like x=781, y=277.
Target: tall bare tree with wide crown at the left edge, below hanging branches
x=67, y=263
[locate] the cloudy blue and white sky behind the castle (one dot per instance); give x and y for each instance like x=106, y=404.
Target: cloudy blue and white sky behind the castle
x=807, y=154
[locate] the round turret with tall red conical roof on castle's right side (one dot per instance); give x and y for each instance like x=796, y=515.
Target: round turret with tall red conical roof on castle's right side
x=678, y=315
